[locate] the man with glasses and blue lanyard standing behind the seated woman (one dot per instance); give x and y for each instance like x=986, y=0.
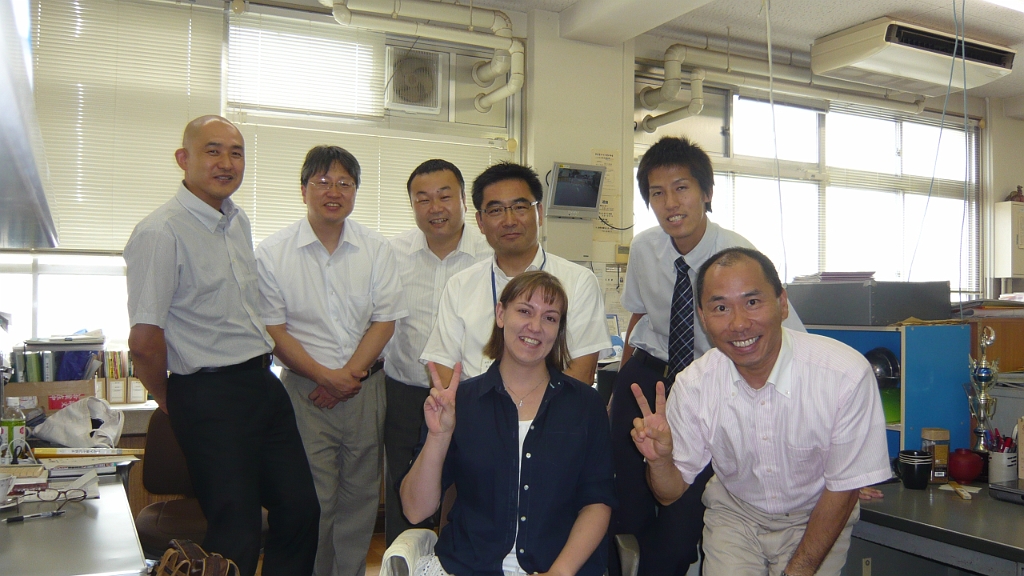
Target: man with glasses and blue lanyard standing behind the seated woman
x=507, y=198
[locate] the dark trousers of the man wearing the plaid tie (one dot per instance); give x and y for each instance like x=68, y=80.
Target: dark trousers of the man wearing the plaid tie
x=668, y=536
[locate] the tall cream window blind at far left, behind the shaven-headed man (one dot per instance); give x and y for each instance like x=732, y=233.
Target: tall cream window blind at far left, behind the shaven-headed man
x=115, y=85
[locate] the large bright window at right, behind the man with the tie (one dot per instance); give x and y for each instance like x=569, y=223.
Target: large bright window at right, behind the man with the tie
x=868, y=203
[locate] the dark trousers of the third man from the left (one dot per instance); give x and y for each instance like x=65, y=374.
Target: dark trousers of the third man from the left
x=403, y=426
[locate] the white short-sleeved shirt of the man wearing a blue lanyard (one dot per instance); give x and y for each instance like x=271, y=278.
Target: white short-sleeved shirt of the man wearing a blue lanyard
x=466, y=315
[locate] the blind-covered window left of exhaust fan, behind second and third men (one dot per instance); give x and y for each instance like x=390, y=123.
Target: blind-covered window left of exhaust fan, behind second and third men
x=297, y=80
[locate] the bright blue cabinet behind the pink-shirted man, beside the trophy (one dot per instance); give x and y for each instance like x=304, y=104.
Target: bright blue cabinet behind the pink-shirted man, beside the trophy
x=933, y=369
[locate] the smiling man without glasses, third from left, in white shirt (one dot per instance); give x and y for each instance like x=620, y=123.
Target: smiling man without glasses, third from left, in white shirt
x=429, y=256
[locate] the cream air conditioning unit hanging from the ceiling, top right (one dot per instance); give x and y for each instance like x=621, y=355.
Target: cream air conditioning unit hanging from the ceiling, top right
x=911, y=59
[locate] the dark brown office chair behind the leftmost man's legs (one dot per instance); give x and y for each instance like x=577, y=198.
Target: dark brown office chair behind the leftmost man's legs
x=164, y=472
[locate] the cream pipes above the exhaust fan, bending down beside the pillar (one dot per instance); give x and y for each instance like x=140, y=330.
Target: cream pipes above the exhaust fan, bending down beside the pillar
x=509, y=53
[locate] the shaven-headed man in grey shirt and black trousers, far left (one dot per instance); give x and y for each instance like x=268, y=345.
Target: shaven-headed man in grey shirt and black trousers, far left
x=193, y=300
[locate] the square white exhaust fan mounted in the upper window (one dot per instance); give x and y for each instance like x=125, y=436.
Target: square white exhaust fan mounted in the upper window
x=414, y=80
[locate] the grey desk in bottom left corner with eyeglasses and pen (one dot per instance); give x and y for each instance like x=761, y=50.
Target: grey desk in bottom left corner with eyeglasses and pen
x=95, y=538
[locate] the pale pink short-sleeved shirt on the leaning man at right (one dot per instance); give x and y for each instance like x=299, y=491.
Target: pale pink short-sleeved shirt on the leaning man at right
x=817, y=424
